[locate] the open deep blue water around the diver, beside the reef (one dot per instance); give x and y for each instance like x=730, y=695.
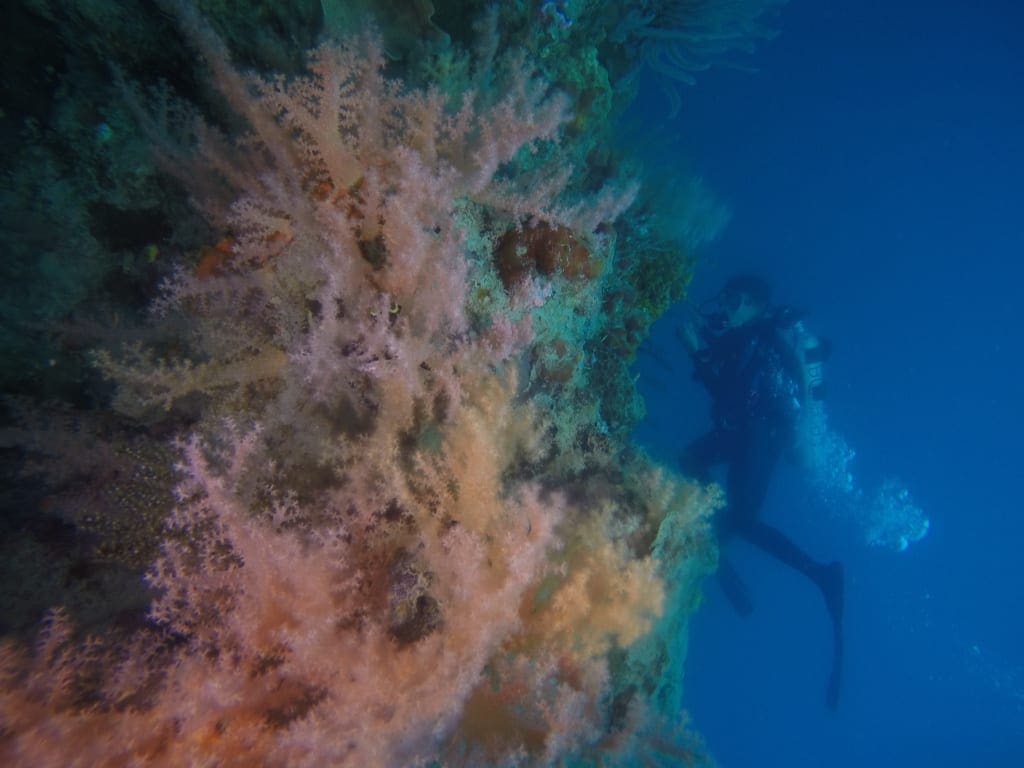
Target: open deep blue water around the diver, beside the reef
x=875, y=169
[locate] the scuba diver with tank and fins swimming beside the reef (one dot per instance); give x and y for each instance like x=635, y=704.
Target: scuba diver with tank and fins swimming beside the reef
x=761, y=369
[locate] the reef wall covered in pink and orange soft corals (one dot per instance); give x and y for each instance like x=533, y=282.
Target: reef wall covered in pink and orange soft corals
x=344, y=362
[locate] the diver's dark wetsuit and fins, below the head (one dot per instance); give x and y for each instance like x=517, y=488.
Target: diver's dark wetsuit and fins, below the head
x=753, y=379
